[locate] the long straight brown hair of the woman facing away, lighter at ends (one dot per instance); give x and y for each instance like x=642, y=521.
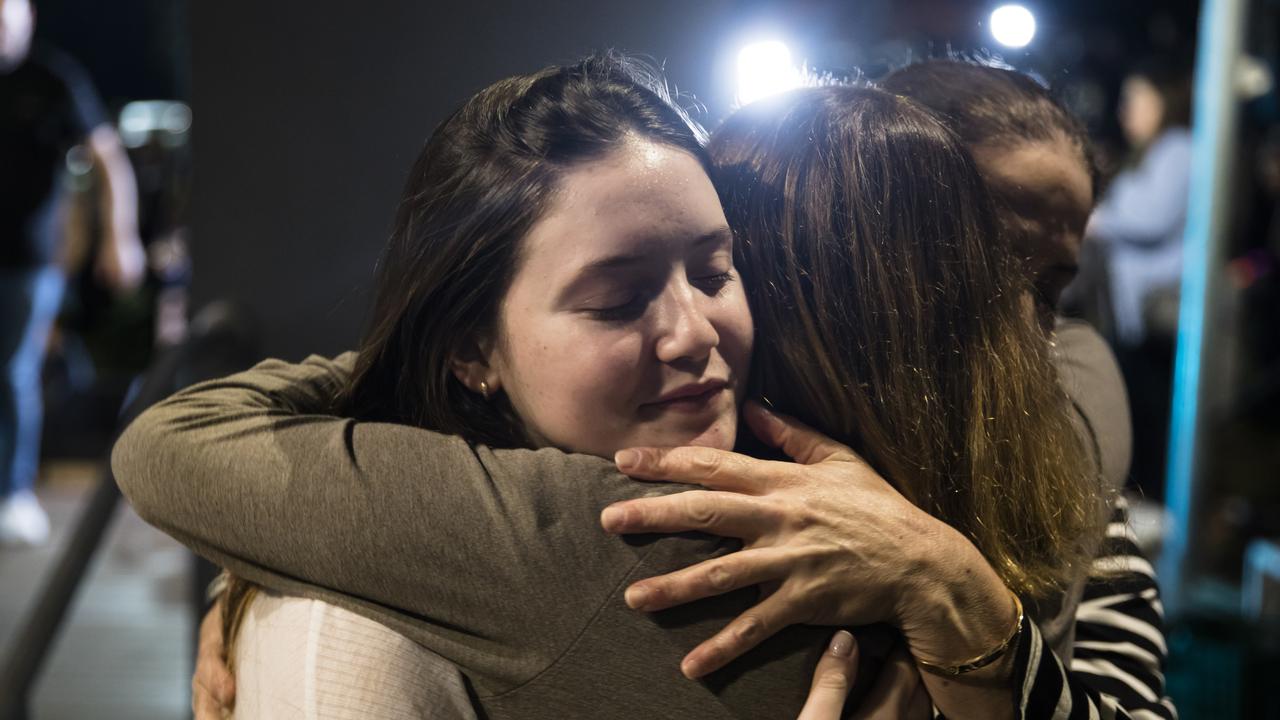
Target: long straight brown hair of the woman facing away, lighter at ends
x=889, y=315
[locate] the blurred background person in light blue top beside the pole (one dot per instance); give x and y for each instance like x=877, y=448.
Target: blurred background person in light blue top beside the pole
x=1139, y=226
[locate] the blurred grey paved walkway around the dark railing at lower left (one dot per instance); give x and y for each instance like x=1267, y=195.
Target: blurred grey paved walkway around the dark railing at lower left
x=125, y=651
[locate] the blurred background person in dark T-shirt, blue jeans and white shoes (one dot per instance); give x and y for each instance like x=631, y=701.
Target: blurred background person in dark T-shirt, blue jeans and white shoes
x=47, y=107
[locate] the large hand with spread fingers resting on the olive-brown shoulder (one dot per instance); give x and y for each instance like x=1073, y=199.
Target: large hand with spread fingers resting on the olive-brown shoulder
x=833, y=543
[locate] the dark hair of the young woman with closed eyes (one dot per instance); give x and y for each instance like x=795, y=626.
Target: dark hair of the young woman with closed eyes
x=486, y=176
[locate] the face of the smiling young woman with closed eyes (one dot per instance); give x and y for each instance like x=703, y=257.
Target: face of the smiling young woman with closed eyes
x=627, y=323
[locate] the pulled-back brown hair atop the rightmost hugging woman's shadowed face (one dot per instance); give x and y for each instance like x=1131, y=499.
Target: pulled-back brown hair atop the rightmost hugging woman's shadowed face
x=988, y=106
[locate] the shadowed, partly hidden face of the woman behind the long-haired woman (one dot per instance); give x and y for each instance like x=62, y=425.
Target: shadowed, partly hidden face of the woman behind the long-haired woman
x=1044, y=194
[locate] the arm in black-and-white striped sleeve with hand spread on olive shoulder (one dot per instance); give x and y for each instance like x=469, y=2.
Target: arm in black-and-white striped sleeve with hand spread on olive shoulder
x=804, y=532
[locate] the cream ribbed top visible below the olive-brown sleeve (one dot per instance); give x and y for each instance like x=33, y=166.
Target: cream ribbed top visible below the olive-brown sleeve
x=309, y=660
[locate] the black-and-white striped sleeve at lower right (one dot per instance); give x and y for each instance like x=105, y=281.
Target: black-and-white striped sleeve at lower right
x=1118, y=671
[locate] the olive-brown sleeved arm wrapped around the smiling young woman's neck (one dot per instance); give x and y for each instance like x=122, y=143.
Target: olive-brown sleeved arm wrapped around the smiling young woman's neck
x=377, y=518
